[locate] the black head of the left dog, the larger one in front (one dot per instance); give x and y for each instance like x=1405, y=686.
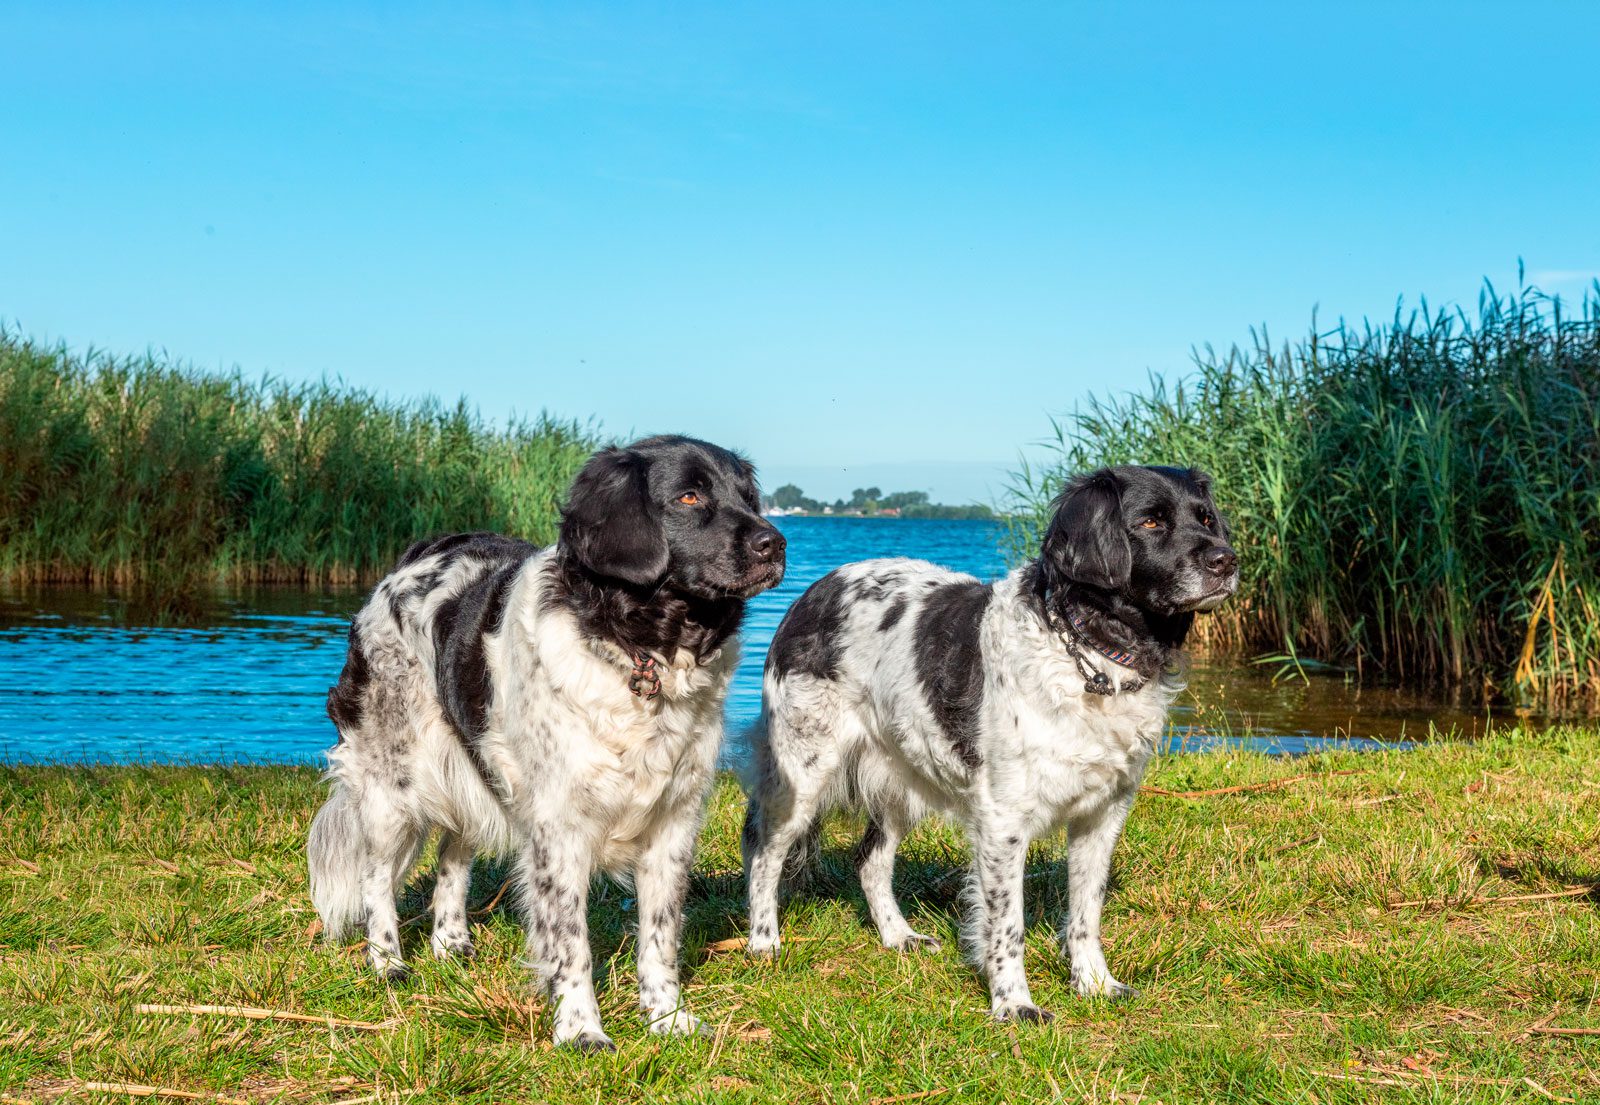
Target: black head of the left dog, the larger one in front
x=676, y=514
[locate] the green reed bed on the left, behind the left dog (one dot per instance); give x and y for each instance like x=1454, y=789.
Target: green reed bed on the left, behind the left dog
x=140, y=474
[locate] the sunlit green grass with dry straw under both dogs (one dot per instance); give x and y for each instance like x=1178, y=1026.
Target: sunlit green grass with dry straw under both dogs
x=1268, y=928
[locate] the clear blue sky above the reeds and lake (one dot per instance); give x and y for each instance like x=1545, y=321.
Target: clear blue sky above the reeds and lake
x=866, y=244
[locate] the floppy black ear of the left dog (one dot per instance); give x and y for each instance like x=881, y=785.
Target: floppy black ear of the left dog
x=610, y=522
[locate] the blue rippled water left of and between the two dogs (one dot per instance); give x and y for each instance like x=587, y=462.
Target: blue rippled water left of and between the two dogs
x=79, y=684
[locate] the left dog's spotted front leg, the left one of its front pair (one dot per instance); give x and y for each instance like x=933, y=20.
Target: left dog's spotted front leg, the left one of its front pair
x=554, y=874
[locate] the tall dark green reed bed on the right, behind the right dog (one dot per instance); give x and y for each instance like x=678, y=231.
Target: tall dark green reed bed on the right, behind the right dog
x=1417, y=500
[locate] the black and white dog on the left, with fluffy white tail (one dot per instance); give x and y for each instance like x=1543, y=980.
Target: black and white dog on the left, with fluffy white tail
x=562, y=706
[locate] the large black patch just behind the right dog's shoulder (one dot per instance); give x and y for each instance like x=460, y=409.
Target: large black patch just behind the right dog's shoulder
x=951, y=664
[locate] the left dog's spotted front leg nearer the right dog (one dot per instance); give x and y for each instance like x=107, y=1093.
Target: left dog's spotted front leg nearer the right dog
x=662, y=880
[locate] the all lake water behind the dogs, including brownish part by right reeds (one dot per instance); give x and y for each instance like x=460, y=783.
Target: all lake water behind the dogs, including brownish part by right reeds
x=81, y=682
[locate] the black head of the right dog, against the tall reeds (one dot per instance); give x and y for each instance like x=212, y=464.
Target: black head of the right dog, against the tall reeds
x=1148, y=537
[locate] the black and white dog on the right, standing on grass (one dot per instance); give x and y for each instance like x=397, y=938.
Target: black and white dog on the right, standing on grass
x=1015, y=708
